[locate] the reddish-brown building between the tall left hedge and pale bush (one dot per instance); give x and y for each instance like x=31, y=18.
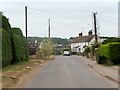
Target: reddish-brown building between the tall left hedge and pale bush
x=34, y=47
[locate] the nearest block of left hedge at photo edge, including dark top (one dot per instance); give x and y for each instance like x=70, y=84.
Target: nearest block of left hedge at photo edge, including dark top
x=6, y=40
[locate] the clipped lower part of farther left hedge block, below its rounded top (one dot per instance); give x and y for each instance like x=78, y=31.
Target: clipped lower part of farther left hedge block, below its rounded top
x=20, y=52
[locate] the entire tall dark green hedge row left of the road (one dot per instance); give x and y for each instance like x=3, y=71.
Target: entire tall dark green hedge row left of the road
x=14, y=44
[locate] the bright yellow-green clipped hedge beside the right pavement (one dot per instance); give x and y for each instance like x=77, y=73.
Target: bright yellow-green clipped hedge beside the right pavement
x=108, y=53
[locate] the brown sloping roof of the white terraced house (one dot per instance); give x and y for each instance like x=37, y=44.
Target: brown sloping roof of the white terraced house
x=83, y=39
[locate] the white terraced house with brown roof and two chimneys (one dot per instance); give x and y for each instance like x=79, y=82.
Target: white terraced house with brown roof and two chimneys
x=79, y=43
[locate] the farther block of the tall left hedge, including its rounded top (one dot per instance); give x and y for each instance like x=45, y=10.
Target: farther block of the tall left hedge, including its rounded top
x=20, y=47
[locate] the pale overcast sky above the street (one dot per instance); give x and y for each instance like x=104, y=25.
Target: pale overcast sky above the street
x=68, y=18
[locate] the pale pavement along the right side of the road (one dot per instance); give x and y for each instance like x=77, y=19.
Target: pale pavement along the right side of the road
x=110, y=72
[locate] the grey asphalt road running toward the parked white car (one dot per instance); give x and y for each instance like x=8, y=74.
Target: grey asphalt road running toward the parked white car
x=69, y=72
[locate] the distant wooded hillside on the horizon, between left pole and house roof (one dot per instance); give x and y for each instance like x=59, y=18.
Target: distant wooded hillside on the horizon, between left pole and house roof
x=54, y=40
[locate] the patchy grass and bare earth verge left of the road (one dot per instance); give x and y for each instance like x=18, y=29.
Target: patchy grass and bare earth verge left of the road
x=11, y=70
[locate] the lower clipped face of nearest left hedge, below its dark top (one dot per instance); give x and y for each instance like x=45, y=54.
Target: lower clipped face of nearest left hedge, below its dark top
x=6, y=48
